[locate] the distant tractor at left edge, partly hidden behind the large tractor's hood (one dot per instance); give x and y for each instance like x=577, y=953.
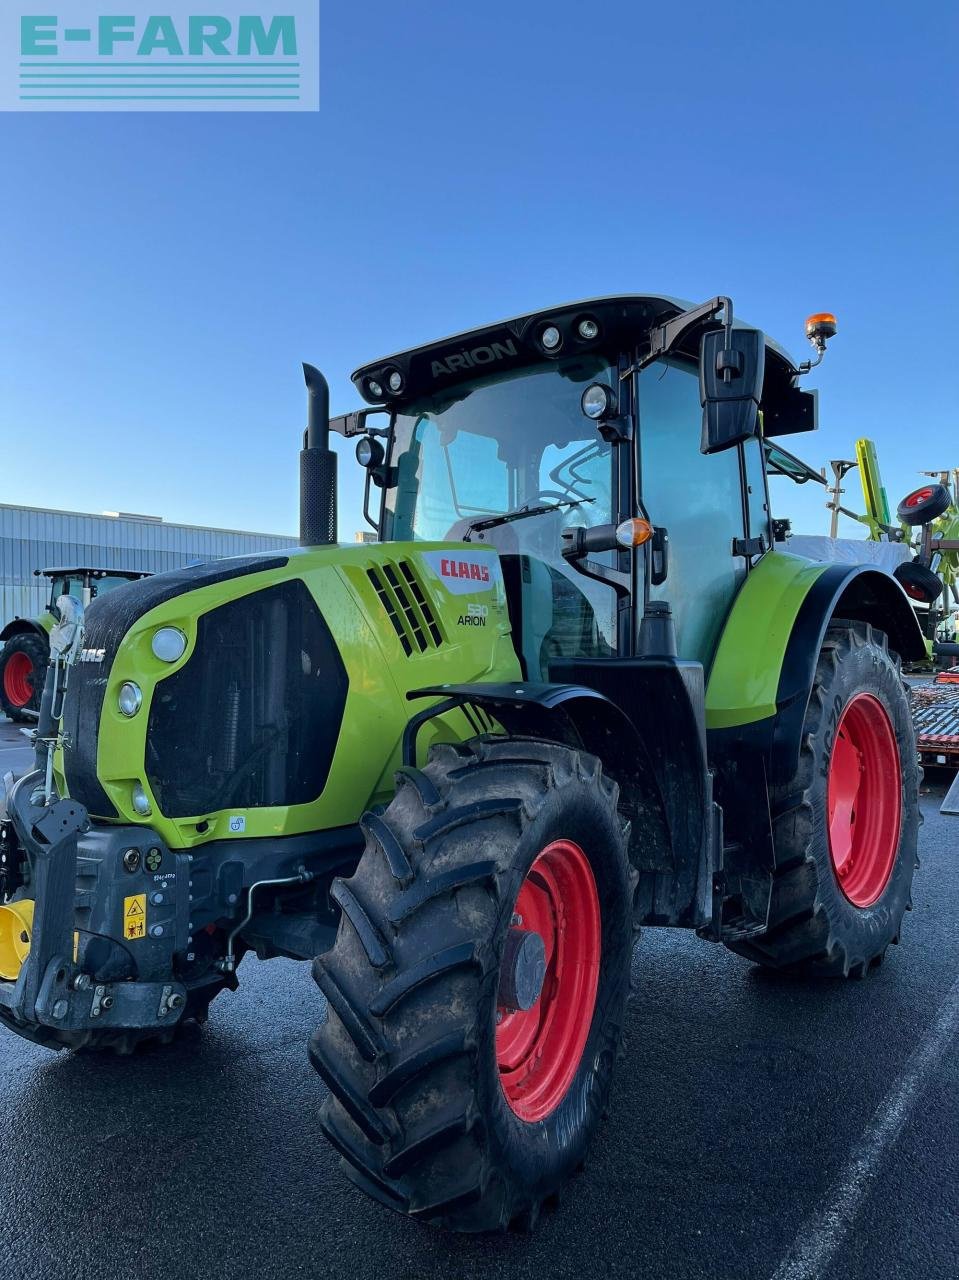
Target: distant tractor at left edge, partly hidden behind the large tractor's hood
x=26, y=642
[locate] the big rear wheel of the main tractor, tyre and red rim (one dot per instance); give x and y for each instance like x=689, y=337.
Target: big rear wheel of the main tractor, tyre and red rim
x=847, y=826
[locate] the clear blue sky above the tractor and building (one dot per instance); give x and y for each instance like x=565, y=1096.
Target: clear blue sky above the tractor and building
x=166, y=275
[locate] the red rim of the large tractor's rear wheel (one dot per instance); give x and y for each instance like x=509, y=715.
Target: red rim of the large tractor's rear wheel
x=865, y=801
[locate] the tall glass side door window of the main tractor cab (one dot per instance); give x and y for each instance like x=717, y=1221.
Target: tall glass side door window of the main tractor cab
x=700, y=501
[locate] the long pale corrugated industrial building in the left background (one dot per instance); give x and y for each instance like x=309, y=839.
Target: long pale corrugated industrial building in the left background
x=36, y=538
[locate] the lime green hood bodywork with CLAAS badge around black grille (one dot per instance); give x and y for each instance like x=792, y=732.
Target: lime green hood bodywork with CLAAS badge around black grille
x=403, y=616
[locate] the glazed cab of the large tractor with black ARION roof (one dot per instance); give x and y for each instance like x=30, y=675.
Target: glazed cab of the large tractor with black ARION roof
x=546, y=436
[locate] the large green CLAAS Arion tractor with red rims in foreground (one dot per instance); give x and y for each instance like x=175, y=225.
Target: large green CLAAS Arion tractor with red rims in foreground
x=572, y=692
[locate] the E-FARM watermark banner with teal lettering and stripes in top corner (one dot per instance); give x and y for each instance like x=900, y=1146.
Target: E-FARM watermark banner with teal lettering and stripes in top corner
x=161, y=56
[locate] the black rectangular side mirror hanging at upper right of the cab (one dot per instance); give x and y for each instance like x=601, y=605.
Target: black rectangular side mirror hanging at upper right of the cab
x=732, y=365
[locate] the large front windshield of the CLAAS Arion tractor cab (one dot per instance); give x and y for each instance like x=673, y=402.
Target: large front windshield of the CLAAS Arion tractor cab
x=509, y=444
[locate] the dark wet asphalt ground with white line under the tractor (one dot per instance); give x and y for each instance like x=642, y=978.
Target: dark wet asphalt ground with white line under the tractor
x=761, y=1128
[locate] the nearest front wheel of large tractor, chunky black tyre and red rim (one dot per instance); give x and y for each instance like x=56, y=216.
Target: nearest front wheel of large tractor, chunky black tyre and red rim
x=478, y=984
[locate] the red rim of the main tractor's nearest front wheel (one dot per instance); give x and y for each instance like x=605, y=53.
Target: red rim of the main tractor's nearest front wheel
x=540, y=1050
